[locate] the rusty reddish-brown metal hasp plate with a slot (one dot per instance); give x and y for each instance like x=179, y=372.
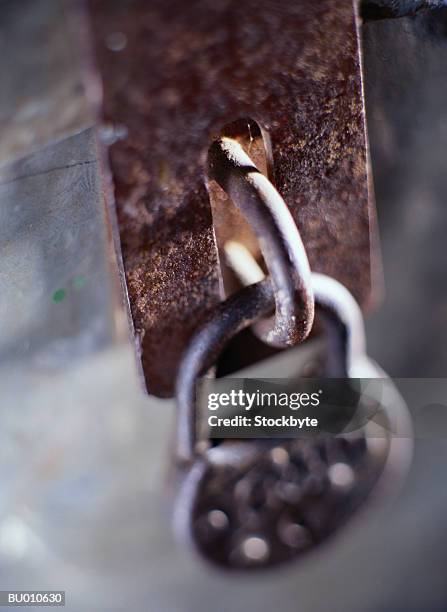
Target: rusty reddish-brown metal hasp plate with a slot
x=174, y=73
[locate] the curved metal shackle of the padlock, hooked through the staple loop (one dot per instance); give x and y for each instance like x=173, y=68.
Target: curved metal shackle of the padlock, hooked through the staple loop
x=241, y=310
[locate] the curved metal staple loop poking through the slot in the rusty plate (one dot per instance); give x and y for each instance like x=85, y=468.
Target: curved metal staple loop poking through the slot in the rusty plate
x=279, y=240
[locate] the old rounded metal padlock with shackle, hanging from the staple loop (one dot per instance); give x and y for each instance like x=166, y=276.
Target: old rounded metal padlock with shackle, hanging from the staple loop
x=250, y=504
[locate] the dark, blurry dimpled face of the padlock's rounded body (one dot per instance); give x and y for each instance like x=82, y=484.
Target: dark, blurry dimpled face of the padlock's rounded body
x=282, y=500
